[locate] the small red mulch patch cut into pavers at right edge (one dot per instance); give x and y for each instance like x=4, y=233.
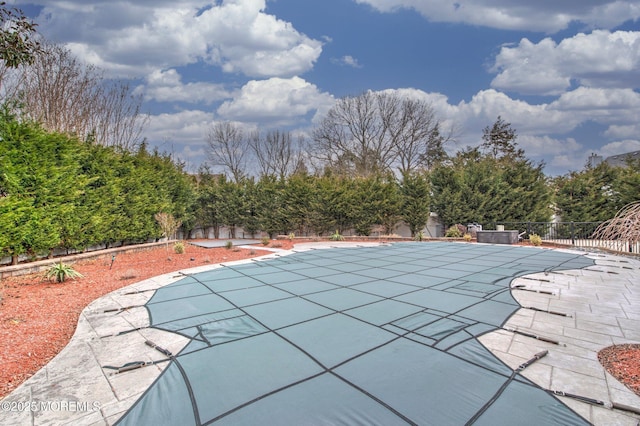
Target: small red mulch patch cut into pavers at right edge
x=623, y=363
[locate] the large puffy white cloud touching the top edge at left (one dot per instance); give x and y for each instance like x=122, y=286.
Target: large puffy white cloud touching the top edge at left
x=136, y=39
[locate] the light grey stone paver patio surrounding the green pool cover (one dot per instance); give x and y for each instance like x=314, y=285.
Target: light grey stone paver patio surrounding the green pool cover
x=601, y=303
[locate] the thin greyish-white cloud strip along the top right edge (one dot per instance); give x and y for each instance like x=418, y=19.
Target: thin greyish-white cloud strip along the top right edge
x=543, y=15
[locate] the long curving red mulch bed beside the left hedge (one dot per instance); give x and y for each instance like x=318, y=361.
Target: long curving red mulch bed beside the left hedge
x=38, y=317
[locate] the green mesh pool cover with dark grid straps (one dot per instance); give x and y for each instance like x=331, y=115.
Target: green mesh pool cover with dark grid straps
x=372, y=335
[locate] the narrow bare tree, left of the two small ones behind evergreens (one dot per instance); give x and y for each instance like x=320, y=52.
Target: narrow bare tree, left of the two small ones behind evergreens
x=228, y=148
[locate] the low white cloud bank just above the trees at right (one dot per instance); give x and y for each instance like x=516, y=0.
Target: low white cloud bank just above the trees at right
x=535, y=123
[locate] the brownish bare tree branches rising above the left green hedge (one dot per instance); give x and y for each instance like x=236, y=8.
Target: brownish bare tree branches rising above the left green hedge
x=65, y=95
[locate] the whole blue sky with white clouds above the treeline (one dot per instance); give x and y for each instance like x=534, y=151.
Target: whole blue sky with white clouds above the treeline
x=564, y=74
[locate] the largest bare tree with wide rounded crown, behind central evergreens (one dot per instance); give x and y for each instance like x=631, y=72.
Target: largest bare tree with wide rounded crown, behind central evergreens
x=376, y=132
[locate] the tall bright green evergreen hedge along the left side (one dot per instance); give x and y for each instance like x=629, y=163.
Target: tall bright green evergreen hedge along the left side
x=57, y=192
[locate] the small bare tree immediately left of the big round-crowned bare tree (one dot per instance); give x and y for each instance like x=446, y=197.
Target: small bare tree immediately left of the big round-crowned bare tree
x=277, y=153
